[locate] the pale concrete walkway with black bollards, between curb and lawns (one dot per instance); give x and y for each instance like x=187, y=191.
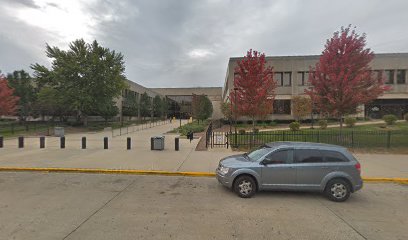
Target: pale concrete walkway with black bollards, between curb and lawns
x=140, y=157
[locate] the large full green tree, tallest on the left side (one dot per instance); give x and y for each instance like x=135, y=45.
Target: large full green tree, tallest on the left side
x=86, y=74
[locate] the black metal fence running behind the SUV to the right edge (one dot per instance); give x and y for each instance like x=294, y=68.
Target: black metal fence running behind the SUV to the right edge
x=346, y=138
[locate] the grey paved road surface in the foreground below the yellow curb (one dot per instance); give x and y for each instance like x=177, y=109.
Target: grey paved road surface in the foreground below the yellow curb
x=98, y=206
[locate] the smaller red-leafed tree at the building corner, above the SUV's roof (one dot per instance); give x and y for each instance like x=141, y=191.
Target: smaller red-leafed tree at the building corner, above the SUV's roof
x=254, y=87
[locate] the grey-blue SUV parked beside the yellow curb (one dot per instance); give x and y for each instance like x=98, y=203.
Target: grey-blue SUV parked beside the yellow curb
x=292, y=166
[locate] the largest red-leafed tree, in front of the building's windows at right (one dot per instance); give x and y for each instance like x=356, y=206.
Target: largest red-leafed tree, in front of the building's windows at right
x=343, y=79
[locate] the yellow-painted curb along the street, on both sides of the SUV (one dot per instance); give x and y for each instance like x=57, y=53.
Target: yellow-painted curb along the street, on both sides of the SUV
x=165, y=173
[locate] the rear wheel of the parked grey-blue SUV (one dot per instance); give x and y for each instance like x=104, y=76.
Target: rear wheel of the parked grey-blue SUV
x=338, y=190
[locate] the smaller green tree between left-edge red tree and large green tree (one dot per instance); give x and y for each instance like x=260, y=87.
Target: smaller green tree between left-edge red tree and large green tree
x=24, y=89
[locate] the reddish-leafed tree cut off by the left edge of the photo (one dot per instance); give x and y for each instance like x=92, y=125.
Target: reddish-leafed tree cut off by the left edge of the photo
x=8, y=102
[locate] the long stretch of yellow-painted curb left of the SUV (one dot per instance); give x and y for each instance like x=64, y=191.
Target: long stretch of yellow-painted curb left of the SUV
x=107, y=171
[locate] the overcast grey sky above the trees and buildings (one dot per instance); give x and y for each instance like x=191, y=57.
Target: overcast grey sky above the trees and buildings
x=187, y=43
